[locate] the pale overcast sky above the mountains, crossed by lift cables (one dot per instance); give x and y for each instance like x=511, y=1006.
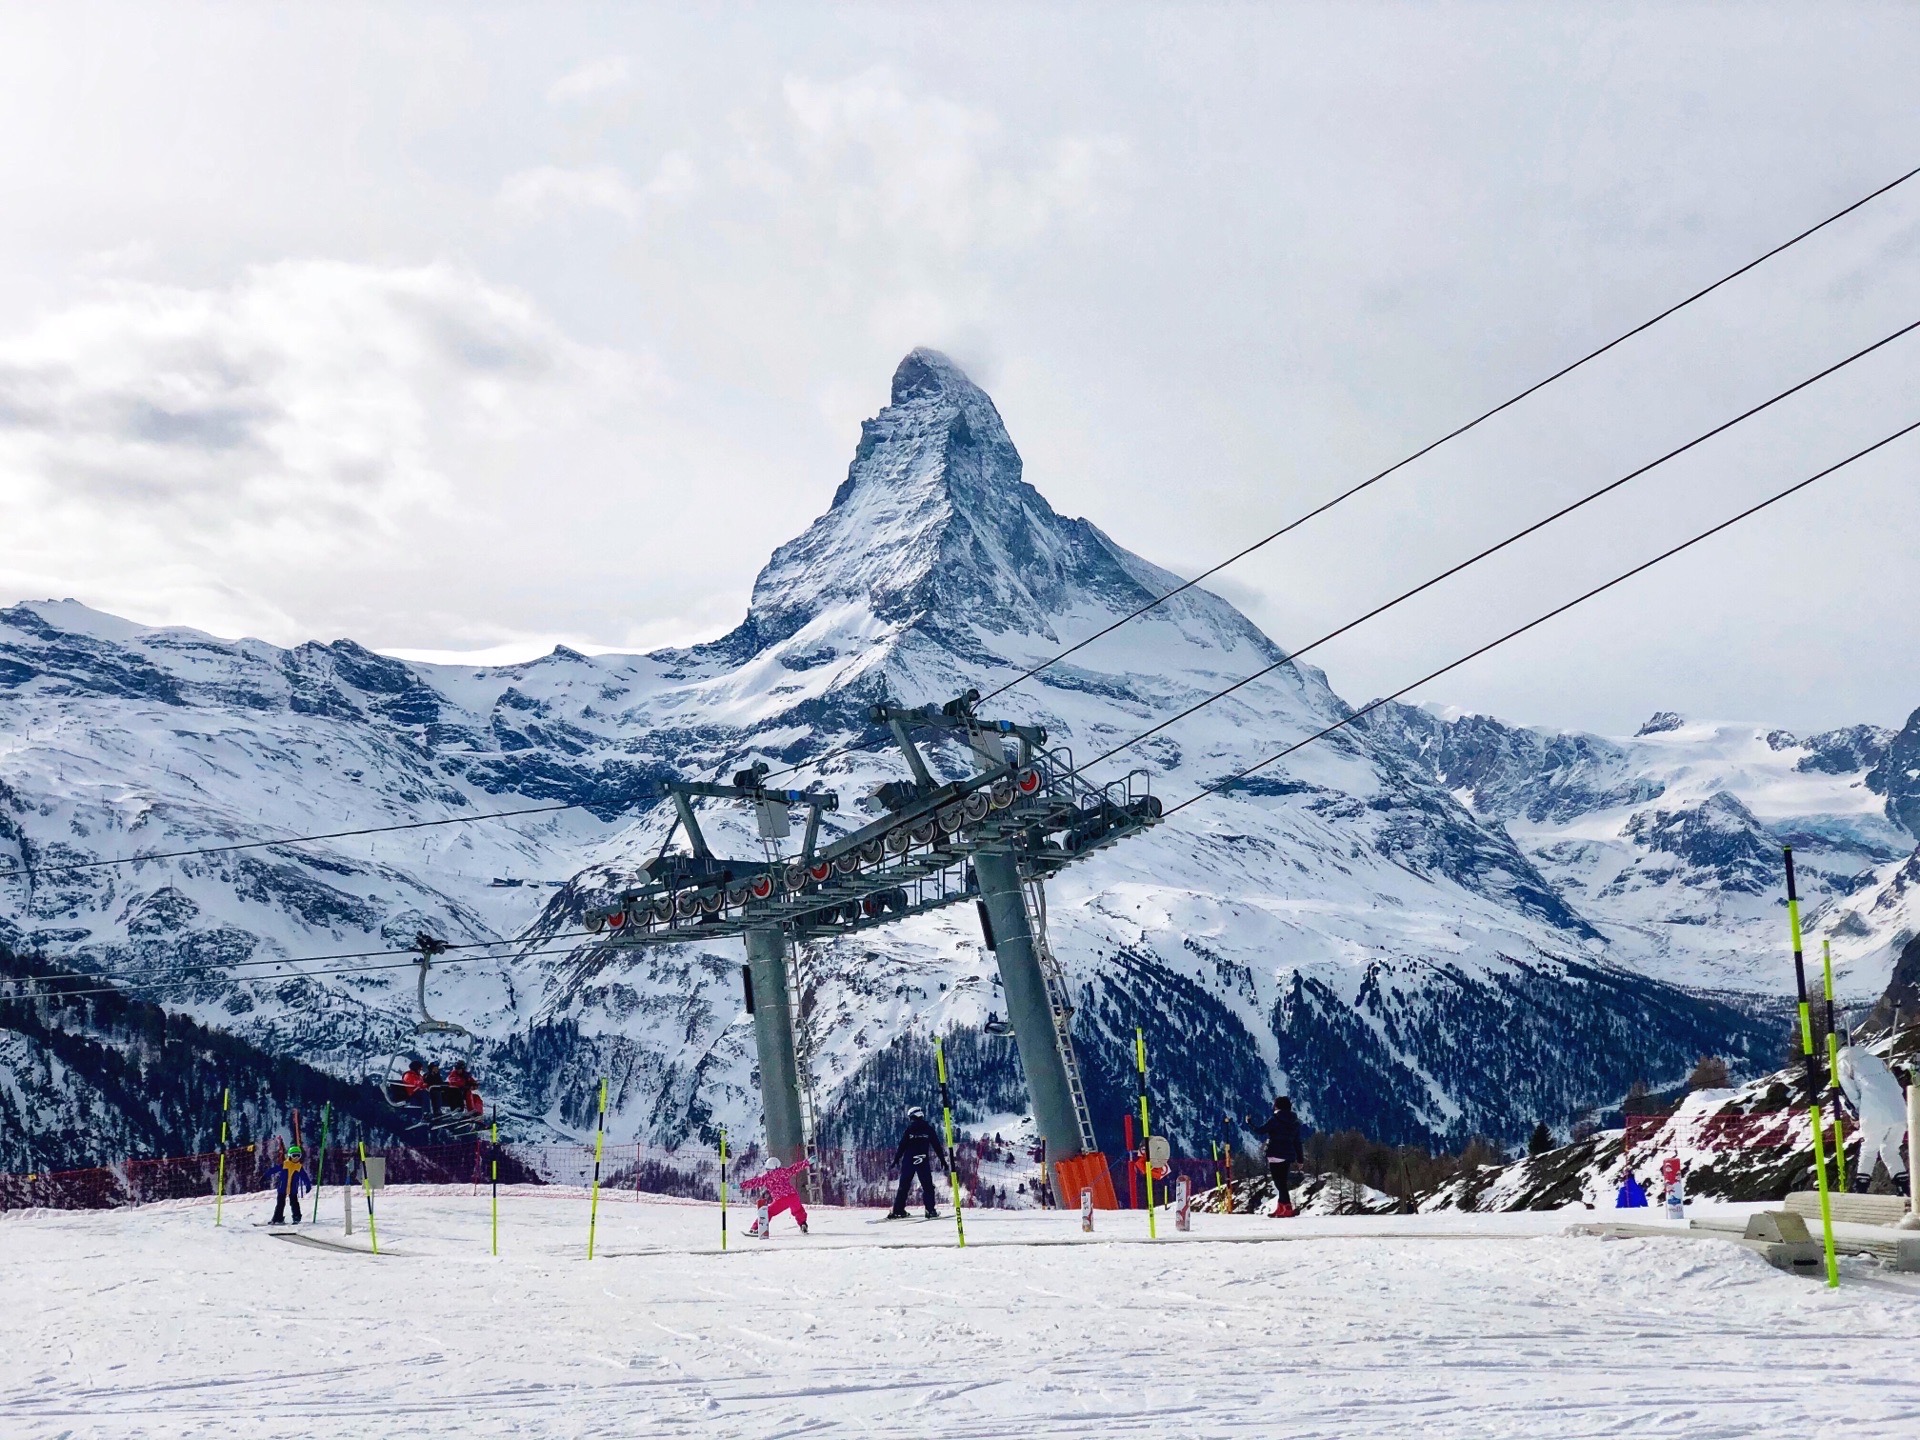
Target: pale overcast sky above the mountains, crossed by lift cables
x=489, y=327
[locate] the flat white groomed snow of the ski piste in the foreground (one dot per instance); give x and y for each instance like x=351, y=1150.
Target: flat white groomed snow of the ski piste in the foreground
x=156, y=1324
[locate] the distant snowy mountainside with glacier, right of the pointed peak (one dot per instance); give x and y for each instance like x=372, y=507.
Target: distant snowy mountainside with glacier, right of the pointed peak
x=1669, y=840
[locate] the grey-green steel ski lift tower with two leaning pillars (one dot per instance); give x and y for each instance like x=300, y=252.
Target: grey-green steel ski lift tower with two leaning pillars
x=992, y=838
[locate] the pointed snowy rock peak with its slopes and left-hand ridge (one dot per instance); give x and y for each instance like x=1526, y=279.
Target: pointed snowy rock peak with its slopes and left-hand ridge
x=1343, y=924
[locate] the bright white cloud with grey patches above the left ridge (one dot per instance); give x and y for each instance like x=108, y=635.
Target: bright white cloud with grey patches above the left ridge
x=203, y=441
